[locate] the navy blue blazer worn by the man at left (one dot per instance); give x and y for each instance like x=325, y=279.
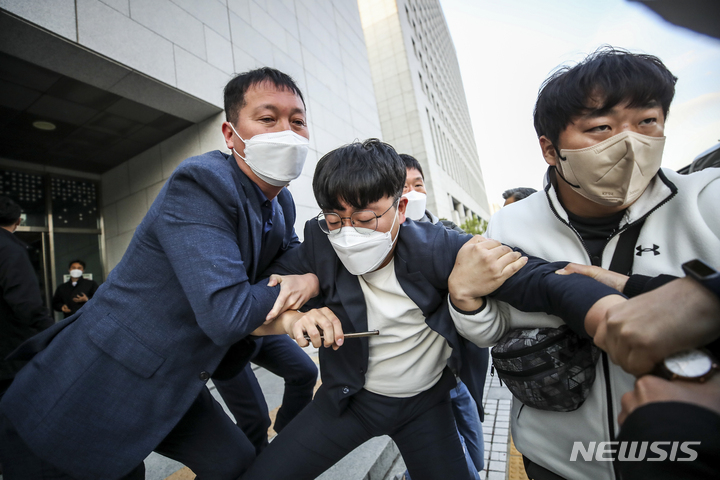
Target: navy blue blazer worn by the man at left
x=110, y=382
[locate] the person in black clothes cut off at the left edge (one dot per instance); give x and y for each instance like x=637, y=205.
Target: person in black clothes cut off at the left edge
x=22, y=313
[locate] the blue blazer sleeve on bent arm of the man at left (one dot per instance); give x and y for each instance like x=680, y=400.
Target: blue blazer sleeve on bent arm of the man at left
x=197, y=230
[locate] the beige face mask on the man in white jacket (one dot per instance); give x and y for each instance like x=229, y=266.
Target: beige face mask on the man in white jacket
x=614, y=172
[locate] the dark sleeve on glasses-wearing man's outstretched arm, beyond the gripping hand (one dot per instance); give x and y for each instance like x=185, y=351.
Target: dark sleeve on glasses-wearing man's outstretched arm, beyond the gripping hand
x=537, y=288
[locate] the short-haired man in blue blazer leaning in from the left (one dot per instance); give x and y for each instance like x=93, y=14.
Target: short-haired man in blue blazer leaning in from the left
x=126, y=375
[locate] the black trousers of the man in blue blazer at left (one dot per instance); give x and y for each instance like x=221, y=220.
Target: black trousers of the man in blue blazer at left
x=205, y=439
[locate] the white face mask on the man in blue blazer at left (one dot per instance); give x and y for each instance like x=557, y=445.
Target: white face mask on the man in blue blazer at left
x=276, y=157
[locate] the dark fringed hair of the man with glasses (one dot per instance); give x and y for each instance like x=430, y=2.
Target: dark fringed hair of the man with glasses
x=358, y=174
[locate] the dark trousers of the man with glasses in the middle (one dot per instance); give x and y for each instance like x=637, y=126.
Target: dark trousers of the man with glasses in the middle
x=422, y=427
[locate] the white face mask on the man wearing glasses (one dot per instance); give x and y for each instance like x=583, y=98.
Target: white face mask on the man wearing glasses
x=362, y=253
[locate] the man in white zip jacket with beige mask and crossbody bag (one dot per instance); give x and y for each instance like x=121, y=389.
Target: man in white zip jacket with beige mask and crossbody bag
x=601, y=130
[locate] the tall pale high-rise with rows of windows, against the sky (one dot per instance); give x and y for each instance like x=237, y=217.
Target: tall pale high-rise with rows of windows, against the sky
x=421, y=101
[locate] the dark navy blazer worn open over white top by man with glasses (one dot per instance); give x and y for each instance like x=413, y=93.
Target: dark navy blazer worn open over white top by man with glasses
x=424, y=257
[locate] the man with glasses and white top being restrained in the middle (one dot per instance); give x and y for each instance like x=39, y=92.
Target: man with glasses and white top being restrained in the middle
x=378, y=273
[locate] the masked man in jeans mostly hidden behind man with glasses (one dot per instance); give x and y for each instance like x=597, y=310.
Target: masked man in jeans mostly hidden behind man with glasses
x=467, y=411
